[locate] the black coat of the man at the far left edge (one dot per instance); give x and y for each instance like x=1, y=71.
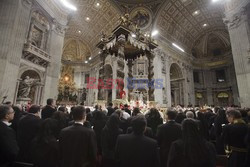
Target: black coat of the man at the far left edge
x=8, y=145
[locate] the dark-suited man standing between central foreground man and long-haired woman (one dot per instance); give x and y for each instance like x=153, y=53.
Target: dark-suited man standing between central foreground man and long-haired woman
x=166, y=134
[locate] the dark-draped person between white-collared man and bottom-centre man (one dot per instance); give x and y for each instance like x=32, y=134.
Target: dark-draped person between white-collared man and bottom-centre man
x=108, y=140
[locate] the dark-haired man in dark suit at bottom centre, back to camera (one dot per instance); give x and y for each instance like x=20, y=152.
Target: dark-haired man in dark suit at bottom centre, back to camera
x=136, y=150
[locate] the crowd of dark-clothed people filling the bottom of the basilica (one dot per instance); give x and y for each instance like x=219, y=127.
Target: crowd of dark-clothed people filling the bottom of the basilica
x=52, y=136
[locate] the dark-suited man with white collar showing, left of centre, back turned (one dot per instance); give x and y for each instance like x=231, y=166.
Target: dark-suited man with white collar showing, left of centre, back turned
x=77, y=143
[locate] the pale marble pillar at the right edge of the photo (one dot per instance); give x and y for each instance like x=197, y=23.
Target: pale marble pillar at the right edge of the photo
x=237, y=20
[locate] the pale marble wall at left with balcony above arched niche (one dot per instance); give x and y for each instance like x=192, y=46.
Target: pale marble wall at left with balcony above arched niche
x=17, y=52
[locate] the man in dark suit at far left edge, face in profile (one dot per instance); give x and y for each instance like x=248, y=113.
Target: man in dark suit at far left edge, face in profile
x=8, y=144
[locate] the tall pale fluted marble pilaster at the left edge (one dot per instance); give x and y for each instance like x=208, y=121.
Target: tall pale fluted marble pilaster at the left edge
x=14, y=18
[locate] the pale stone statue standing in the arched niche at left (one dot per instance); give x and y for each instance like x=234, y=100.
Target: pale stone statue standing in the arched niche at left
x=25, y=86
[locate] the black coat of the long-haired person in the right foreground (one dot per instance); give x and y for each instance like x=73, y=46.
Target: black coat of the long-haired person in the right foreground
x=176, y=157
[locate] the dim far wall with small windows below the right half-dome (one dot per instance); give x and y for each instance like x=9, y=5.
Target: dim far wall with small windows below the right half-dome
x=209, y=87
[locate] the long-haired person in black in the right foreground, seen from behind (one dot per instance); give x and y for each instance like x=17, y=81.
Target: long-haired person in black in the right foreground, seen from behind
x=192, y=150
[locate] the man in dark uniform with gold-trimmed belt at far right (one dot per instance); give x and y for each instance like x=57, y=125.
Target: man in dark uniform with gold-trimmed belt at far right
x=234, y=135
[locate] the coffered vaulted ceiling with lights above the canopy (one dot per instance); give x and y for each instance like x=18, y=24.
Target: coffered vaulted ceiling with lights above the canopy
x=181, y=21
